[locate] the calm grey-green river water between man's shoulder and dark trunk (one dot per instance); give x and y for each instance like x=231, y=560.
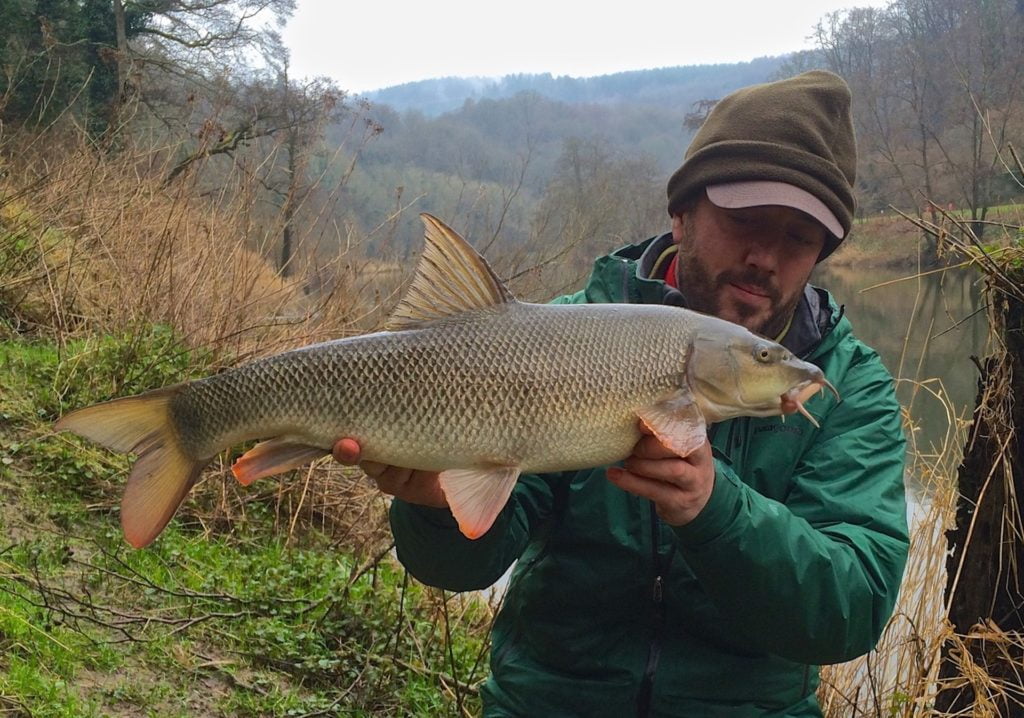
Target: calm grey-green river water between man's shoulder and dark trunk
x=926, y=329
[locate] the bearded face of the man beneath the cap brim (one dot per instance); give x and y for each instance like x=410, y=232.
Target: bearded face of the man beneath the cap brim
x=747, y=266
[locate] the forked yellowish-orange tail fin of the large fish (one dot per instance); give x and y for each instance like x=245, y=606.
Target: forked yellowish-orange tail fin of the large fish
x=164, y=473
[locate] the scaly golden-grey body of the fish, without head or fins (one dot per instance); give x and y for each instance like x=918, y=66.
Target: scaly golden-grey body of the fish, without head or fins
x=490, y=388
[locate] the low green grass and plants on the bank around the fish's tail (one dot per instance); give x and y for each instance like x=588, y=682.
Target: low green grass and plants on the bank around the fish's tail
x=255, y=621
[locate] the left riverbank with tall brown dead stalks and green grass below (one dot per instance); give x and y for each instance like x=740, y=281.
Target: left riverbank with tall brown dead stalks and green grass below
x=277, y=600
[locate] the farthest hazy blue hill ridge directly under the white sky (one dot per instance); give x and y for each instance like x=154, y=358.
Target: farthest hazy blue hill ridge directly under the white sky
x=671, y=89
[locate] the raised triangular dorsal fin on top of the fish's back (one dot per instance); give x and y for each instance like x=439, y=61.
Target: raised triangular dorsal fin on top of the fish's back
x=452, y=278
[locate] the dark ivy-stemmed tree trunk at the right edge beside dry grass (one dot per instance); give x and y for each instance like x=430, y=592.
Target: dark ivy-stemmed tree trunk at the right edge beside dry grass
x=985, y=589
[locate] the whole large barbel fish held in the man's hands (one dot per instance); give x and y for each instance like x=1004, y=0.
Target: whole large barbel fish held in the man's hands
x=464, y=381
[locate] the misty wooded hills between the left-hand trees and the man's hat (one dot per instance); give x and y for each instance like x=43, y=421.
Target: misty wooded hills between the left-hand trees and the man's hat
x=528, y=150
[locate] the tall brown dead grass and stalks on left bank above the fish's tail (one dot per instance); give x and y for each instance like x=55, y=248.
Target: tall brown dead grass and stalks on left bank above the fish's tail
x=103, y=246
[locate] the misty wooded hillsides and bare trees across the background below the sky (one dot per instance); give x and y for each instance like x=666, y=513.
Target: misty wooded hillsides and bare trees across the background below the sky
x=542, y=160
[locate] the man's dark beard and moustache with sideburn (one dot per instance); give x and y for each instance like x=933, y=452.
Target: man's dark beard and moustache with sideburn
x=704, y=291
